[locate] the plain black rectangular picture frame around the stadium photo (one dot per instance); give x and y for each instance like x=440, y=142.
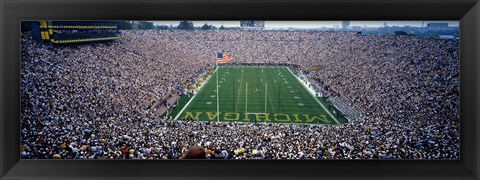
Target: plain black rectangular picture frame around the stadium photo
x=13, y=11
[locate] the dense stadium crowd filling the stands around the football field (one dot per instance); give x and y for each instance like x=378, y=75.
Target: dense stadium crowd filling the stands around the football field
x=90, y=101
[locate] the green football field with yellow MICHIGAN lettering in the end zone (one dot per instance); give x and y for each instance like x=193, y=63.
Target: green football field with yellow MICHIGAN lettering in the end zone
x=258, y=93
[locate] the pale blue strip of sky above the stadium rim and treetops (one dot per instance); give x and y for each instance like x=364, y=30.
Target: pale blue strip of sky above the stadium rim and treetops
x=312, y=24
